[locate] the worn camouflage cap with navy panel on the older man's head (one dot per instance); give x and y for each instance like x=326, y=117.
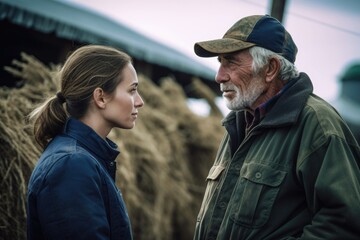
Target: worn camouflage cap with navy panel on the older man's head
x=258, y=30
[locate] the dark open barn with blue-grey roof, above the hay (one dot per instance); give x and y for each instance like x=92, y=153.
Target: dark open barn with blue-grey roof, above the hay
x=48, y=30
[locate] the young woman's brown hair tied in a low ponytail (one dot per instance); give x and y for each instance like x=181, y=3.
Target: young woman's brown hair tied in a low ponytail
x=85, y=69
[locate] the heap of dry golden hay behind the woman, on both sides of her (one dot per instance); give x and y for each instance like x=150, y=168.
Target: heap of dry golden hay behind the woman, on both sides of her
x=161, y=168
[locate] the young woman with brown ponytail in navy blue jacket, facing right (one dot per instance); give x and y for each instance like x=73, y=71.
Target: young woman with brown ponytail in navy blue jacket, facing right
x=72, y=192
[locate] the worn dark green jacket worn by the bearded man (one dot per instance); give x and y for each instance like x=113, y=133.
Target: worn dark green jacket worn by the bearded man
x=294, y=176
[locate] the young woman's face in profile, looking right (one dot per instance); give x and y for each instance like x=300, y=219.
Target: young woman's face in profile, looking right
x=122, y=107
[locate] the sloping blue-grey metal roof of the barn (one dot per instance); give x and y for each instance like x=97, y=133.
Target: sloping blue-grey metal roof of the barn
x=83, y=25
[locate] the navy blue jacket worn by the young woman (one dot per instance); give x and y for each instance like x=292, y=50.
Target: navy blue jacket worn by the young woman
x=72, y=192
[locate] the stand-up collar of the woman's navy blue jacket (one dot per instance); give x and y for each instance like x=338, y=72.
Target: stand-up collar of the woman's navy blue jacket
x=105, y=150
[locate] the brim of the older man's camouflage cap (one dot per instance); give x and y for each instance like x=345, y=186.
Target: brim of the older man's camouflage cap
x=213, y=48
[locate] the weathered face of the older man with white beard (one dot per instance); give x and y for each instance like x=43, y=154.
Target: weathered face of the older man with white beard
x=241, y=88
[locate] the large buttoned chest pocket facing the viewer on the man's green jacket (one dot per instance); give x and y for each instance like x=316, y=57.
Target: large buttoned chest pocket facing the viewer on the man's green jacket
x=255, y=194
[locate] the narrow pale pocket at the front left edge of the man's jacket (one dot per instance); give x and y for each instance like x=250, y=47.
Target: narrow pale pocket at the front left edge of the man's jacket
x=212, y=180
